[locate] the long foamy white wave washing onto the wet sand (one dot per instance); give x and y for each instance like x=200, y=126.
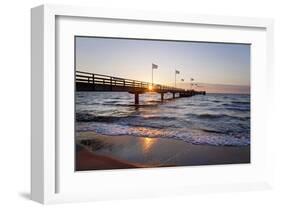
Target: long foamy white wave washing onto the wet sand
x=190, y=136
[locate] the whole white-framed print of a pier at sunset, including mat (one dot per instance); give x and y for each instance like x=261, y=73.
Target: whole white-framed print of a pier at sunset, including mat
x=129, y=104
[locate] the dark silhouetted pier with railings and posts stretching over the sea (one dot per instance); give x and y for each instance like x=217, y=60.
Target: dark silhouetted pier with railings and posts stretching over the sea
x=96, y=82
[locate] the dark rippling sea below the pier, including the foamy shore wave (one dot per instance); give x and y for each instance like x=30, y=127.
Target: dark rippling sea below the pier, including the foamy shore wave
x=211, y=119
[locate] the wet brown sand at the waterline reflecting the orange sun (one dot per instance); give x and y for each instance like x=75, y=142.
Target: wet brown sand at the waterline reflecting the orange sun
x=98, y=152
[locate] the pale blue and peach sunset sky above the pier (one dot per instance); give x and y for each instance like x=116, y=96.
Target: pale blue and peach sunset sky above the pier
x=216, y=66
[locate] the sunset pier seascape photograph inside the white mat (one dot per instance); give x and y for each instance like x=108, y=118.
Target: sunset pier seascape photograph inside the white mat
x=127, y=123
